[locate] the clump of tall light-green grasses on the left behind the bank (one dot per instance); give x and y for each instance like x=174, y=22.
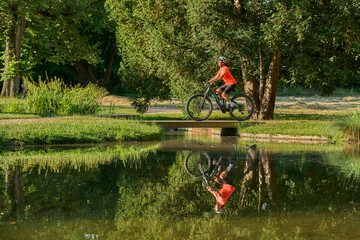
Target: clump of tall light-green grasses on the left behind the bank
x=53, y=96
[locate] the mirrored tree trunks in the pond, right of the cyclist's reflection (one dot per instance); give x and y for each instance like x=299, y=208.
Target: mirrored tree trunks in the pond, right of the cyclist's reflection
x=259, y=163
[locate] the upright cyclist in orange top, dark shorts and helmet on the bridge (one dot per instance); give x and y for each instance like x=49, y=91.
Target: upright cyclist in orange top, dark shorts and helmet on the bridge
x=230, y=82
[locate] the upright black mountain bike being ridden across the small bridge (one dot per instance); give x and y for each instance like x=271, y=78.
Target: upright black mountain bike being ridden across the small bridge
x=199, y=106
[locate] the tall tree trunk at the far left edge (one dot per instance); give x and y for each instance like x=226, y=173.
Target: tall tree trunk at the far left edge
x=11, y=75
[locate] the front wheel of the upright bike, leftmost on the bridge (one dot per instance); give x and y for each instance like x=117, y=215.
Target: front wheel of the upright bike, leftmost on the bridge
x=198, y=108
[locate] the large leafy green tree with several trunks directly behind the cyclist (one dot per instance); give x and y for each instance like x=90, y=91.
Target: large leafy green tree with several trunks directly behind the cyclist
x=178, y=41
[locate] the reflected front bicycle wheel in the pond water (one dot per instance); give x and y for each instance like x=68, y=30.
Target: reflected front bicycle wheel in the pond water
x=193, y=160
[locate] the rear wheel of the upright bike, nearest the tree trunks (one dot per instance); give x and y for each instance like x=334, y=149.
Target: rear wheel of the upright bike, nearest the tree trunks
x=244, y=107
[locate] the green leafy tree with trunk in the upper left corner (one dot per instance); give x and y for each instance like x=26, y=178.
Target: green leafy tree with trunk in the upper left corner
x=77, y=34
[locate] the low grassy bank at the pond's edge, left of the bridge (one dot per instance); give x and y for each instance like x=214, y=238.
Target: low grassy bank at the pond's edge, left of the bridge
x=73, y=130
